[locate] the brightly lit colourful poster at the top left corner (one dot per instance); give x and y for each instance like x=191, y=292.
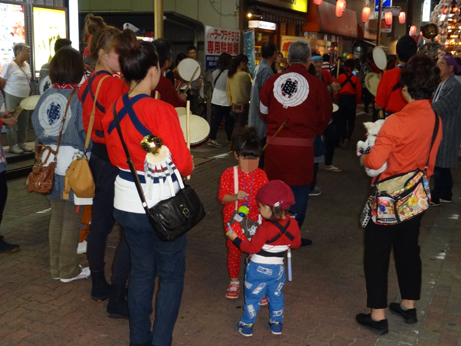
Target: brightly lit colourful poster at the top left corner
x=11, y=31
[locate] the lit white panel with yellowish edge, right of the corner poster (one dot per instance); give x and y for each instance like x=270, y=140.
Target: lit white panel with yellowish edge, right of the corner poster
x=49, y=25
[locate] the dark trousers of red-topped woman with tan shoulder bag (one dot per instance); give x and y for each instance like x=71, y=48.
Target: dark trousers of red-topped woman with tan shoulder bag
x=102, y=222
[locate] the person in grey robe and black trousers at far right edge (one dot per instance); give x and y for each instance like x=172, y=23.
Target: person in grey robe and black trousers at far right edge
x=447, y=104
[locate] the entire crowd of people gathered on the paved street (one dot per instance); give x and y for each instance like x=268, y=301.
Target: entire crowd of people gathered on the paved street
x=292, y=128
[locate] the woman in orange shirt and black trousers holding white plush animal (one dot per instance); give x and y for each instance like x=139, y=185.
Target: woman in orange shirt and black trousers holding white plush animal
x=405, y=150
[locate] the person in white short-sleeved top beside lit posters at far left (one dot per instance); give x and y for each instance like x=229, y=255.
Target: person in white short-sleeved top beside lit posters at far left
x=15, y=82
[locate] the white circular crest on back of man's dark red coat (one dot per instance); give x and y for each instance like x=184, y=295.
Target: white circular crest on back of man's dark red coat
x=291, y=89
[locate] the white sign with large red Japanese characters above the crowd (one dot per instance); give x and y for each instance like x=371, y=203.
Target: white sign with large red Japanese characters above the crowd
x=218, y=41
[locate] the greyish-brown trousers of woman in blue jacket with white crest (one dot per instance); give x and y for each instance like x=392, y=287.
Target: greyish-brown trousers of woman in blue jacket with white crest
x=64, y=233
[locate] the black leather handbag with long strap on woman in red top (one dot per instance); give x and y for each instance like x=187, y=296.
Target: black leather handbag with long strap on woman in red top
x=173, y=217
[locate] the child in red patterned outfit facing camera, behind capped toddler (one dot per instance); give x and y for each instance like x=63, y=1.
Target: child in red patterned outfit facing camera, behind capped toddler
x=249, y=179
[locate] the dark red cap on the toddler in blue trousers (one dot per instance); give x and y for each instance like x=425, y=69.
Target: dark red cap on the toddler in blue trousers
x=276, y=194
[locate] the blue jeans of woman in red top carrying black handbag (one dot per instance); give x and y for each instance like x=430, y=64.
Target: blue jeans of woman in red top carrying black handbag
x=150, y=257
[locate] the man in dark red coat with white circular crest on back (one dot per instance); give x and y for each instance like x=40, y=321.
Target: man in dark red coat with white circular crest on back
x=305, y=101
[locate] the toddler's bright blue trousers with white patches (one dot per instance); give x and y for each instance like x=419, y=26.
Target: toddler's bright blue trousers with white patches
x=263, y=280
